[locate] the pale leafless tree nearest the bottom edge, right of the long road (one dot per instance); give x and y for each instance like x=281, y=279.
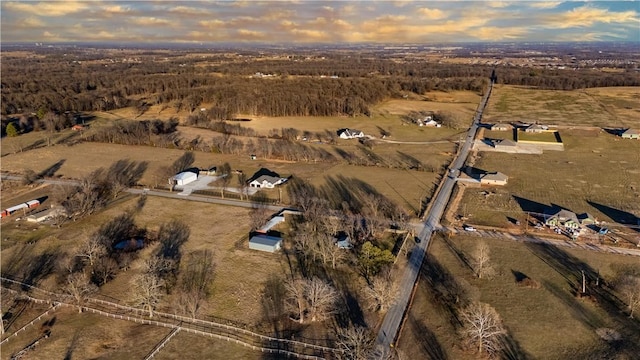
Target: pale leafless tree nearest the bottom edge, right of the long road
x=482, y=327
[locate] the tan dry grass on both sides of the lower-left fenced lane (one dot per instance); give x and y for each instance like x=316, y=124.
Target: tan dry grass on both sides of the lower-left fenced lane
x=98, y=337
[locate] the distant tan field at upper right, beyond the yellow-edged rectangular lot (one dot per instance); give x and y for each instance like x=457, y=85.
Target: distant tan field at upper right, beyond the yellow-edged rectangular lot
x=605, y=107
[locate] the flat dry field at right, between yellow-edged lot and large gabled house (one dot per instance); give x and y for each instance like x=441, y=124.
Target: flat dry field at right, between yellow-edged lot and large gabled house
x=597, y=173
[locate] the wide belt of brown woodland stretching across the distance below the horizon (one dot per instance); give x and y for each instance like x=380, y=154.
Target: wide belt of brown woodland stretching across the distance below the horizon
x=58, y=84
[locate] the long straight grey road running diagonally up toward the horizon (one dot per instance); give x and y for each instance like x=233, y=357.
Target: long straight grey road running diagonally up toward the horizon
x=391, y=324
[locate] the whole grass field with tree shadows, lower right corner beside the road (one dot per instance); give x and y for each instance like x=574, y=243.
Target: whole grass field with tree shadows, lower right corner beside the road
x=544, y=323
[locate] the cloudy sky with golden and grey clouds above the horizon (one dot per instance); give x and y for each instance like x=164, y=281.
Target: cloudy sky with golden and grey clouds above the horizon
x=306, y=21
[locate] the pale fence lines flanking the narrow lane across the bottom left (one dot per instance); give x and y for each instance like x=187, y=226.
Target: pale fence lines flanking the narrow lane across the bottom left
x=189, y=321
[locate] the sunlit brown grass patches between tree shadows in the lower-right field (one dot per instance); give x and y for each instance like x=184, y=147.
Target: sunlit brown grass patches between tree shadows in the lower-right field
x=535, y=318
